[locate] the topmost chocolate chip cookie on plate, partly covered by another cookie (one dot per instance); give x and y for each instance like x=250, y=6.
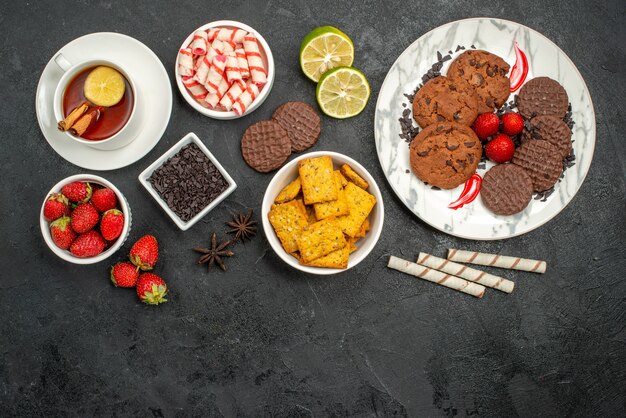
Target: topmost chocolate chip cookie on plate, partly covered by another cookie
x=487, y=73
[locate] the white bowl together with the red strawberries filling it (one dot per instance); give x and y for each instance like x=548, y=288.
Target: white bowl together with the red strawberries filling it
x=84, y=219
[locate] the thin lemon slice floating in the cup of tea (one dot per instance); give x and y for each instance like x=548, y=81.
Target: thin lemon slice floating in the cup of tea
x=104, y=86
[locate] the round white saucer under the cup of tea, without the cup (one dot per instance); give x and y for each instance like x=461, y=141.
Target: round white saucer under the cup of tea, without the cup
x=152, y=84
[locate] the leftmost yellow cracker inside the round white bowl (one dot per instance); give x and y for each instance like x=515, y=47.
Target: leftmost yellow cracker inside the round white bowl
x=288, y=220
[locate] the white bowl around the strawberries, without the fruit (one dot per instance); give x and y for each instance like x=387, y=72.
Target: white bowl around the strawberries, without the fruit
x=124, y=207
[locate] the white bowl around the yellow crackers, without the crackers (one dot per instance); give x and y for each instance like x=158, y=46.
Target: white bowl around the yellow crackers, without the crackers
x=286, y=175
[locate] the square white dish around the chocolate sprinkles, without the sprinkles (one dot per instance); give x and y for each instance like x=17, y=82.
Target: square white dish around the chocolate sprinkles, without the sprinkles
x=145, y=175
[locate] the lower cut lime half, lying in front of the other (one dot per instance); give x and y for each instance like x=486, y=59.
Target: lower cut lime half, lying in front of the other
x=343, y=92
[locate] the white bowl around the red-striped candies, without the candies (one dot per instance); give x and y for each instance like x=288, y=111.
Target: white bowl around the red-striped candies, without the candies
x=266, y=55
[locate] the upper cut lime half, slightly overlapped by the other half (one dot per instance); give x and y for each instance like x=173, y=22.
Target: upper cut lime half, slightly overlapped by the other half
x=323, y=49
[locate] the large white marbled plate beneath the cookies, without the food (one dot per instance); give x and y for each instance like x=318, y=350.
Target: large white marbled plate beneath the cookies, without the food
x=474, y=221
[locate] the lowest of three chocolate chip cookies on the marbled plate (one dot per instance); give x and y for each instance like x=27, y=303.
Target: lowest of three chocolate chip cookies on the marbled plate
x=445, y=154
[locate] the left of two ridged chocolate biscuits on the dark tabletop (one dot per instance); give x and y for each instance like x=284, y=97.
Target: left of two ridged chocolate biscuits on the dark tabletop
x=265, y=146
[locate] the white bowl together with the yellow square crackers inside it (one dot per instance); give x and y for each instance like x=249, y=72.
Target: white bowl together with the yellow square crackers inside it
x=322, y=213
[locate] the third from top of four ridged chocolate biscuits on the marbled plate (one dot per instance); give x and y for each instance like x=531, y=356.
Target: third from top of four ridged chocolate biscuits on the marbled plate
x=542, y=161
